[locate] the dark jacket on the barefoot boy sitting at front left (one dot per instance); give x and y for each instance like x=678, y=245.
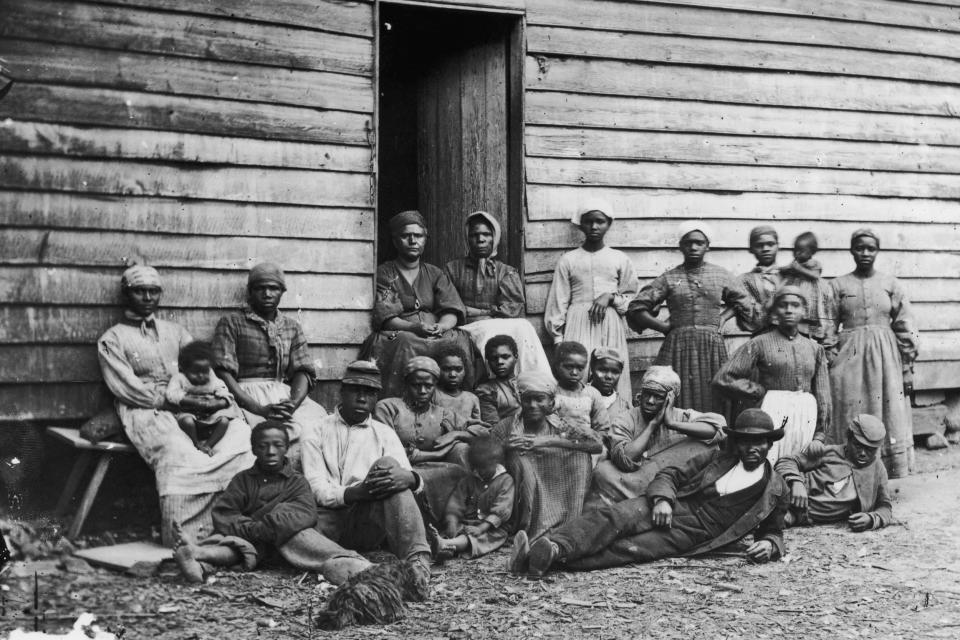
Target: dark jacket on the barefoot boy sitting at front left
x=265, y=507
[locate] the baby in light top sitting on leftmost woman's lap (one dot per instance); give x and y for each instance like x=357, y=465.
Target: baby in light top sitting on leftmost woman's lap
x=205, y=405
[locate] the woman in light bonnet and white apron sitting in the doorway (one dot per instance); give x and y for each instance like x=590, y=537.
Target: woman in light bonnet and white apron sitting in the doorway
x=492, y=293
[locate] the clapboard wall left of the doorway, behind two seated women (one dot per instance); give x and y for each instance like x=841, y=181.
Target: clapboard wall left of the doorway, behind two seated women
x=199, y=136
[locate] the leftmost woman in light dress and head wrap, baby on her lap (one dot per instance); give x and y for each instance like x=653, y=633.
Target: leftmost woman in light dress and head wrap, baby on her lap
x=138, y=356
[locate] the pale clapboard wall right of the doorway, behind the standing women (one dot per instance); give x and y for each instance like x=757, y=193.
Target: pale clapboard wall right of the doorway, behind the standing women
x=822, y=115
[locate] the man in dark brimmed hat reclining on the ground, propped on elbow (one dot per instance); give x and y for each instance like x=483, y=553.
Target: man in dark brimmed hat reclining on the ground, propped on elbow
x=710, y=501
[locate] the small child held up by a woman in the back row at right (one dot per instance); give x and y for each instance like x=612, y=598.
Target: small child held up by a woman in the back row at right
x=805, y=273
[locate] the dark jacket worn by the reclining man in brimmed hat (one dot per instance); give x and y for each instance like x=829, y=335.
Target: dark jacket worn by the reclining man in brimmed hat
x=765, y=517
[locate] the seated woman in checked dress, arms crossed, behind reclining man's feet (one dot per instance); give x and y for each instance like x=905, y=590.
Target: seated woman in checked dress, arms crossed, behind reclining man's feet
x=549, y=459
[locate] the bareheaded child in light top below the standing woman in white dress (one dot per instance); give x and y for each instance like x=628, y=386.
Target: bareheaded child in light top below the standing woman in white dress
x=576, y=403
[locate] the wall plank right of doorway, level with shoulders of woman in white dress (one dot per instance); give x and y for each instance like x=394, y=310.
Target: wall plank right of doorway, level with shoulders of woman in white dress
x=652, y=262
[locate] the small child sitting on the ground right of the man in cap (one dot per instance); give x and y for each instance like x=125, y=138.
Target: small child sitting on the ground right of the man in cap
x=480, y=507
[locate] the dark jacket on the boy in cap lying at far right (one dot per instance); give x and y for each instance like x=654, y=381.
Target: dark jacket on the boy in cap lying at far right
x=816, y=472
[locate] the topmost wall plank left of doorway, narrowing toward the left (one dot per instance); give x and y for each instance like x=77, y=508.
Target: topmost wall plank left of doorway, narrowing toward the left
x=336, y=16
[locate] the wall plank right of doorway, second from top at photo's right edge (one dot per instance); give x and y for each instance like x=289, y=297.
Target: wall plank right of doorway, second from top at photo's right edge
x=643, y=17
